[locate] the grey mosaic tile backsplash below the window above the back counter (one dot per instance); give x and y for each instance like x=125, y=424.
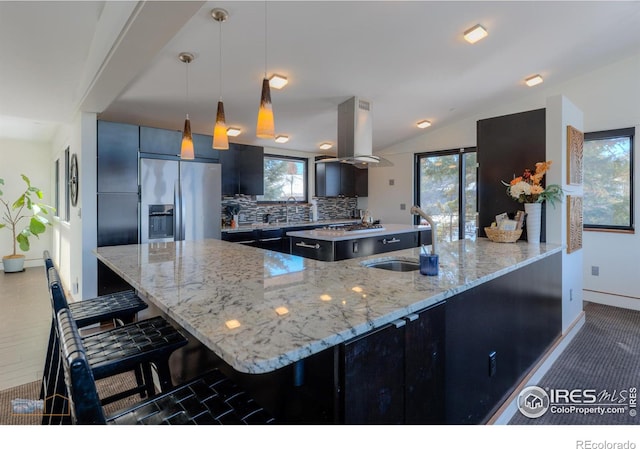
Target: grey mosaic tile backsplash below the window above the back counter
x=253, y=212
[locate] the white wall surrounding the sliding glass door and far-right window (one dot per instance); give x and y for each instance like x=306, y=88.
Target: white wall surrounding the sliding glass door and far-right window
x=609, y=98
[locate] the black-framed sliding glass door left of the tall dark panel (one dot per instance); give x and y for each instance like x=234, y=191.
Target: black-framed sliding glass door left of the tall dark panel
x=446, y=190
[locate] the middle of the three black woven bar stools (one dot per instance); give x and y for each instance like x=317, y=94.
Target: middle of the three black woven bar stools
x=129, y=347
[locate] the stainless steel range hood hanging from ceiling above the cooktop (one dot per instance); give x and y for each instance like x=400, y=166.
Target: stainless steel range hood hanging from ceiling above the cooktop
x=355, y=135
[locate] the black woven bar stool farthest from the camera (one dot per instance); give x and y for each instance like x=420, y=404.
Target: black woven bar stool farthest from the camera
x=121, y=308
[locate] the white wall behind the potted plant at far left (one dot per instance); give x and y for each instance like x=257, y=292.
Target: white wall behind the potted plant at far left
x=33, y=160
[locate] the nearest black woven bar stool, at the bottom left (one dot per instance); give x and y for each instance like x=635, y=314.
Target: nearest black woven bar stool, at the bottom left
x=211, y=398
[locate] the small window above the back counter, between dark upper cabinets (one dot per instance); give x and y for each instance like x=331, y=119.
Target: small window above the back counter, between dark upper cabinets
x=284, y=177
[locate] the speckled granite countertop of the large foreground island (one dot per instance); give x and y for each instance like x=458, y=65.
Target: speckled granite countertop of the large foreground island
x=261, y=310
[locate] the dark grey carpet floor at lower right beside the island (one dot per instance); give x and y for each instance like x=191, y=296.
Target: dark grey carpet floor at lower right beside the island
x=604, y=359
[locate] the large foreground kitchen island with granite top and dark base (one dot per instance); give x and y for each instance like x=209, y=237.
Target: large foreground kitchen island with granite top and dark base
x=260, y=311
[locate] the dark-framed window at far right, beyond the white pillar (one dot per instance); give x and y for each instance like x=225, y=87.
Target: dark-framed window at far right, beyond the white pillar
x=608, y=180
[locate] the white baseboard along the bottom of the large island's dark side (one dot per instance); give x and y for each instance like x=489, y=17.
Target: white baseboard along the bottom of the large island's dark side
x=510, y=406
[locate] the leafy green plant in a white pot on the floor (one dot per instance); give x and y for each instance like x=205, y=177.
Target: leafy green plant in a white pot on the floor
x=27, y=207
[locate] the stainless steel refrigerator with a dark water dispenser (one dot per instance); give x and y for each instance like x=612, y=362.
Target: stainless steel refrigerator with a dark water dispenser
x=179, y=200
